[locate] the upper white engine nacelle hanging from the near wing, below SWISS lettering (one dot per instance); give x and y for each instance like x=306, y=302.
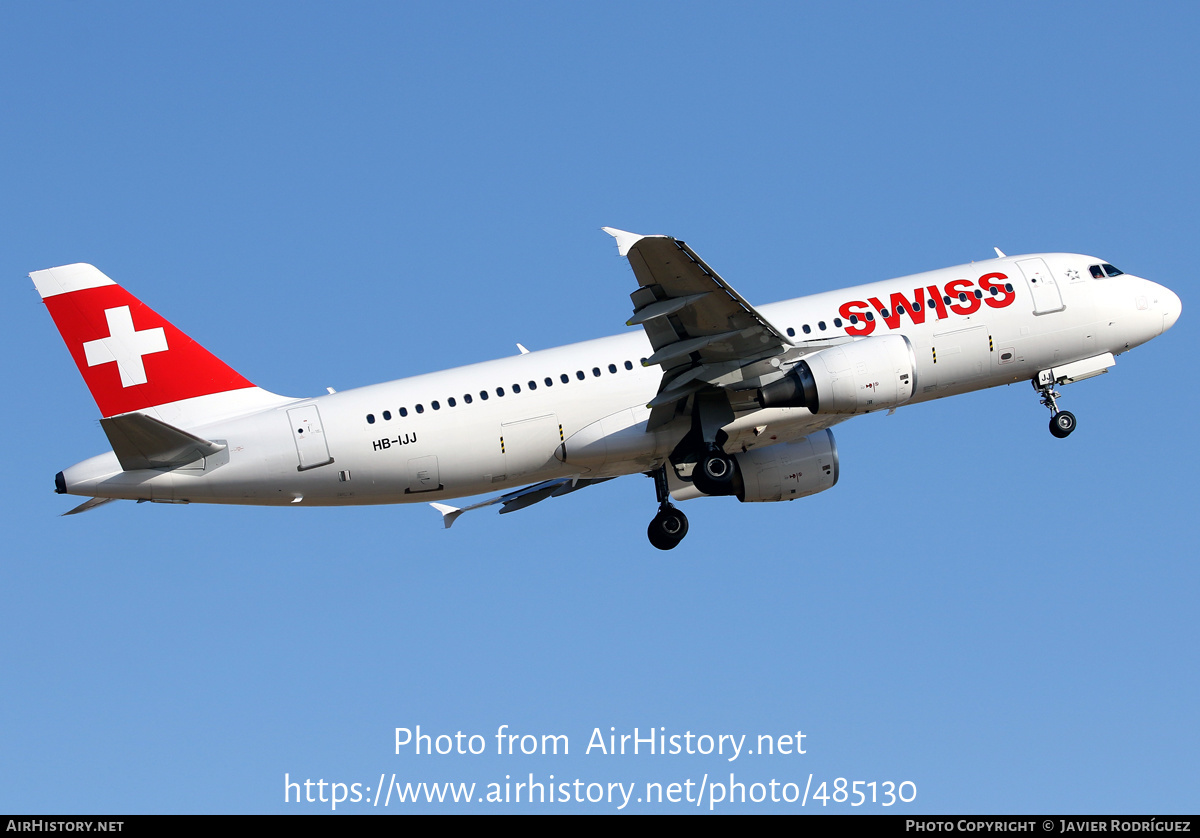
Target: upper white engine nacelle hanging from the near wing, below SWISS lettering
x=860, y=378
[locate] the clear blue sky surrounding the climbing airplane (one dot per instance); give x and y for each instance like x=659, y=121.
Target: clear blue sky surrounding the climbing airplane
x=332, y=196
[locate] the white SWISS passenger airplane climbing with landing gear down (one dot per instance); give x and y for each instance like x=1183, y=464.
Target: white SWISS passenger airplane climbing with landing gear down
x=710, y=397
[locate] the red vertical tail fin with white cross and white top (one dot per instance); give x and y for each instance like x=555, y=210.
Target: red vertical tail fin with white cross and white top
x=130, y=357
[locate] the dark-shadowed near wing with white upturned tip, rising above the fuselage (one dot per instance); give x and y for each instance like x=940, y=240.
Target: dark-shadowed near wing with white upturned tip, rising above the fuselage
x=701, y=330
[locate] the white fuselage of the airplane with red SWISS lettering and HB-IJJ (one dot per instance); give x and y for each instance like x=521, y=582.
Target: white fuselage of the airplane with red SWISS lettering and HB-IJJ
x=436, y=436
